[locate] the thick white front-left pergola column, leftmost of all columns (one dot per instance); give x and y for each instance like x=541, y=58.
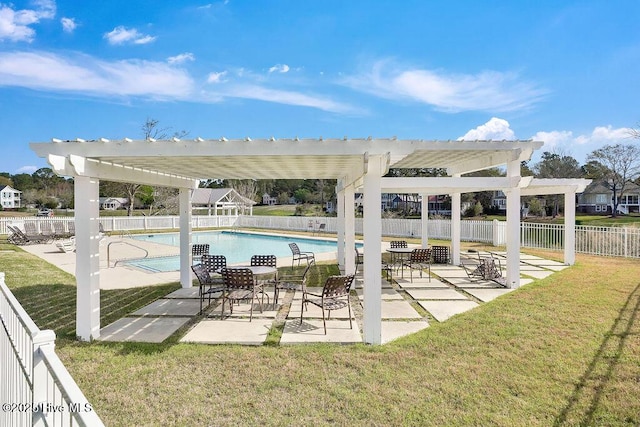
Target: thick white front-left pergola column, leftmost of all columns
x=87, y=211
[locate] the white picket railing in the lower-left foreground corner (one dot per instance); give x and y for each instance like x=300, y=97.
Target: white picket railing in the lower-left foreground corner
x=36, y=389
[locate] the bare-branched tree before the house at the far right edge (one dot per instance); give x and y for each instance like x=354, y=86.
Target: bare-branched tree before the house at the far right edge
x=616, y=165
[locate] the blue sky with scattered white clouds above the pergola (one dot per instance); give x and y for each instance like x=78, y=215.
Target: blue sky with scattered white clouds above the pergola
x=565, y=72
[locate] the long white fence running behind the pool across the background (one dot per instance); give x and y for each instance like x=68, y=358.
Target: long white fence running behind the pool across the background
x=606, y=241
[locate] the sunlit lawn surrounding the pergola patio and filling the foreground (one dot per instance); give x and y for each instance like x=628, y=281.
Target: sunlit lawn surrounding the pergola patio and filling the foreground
x=562, y=351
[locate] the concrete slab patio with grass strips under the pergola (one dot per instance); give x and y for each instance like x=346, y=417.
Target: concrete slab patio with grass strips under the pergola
x=407, y=307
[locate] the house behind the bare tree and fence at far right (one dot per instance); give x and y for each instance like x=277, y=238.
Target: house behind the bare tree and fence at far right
x=597, y=198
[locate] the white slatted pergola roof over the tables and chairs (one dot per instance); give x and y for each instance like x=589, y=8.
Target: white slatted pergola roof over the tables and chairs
x=177, y=160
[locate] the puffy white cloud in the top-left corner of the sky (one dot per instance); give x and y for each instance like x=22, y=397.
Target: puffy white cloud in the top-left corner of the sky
x=15, y=25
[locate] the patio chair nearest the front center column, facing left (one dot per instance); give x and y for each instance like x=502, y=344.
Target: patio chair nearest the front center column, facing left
x=334, y=296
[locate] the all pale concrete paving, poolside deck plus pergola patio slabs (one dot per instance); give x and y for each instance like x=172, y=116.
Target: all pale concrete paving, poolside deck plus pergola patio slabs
x=407, y=306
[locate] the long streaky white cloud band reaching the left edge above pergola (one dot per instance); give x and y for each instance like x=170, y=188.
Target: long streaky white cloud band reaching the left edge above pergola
x=87, y=75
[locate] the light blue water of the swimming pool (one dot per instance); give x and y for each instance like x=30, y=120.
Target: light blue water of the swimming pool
x=237, y=247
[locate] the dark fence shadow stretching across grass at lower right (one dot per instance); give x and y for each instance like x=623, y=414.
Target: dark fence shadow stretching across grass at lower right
x=593, y=383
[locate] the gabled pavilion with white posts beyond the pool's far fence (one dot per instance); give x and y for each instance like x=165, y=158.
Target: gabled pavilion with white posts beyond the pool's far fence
x=221, y=201
